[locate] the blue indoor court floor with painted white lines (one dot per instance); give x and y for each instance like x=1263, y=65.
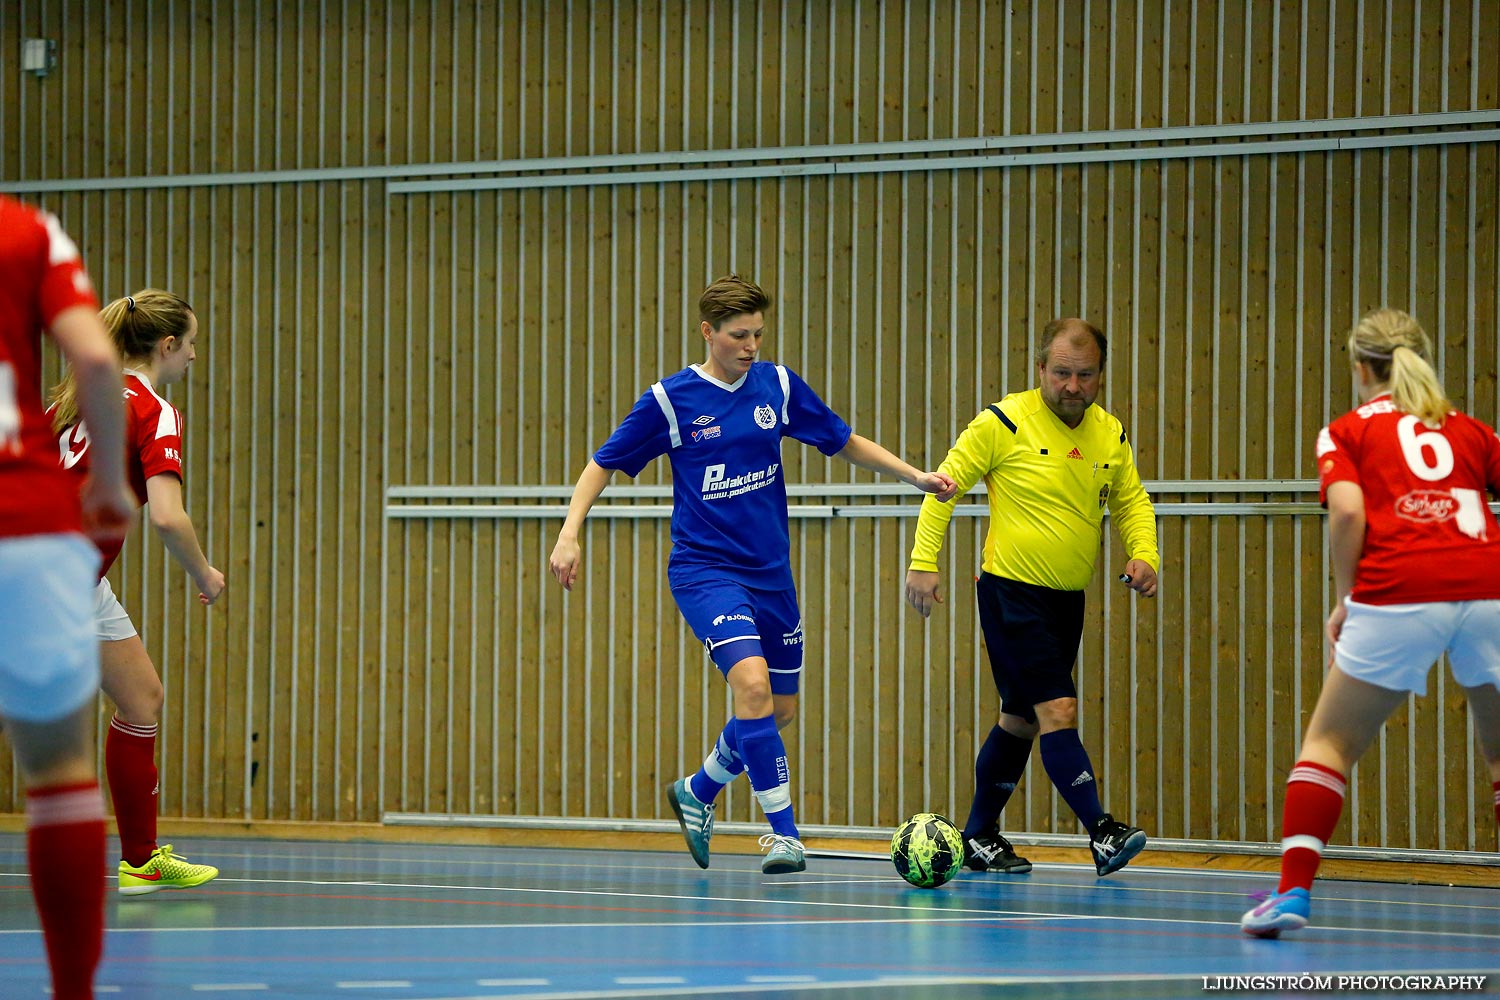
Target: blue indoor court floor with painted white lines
x=338, y=920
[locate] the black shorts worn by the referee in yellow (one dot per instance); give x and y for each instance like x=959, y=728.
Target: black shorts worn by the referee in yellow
x=1033, y=635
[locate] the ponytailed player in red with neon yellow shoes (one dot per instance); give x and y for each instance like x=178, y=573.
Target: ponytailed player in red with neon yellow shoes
x=155, y=334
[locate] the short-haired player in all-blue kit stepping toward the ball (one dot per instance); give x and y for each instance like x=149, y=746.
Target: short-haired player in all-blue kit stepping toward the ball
x=721, y=425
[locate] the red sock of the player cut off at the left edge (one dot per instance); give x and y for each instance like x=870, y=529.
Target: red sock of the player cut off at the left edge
x=65, y=852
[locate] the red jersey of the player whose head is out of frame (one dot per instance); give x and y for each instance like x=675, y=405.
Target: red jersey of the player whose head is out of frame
x=41, y=277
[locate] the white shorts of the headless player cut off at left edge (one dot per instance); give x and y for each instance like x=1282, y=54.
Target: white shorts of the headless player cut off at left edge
x=49, y=648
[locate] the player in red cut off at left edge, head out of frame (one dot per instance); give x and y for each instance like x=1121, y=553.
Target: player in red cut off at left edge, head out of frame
x=49, y=653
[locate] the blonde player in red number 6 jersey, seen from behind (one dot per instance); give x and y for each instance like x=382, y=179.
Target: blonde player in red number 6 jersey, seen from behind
x=1415, y=554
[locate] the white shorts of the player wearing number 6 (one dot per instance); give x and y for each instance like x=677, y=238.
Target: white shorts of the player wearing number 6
x=1396, y=645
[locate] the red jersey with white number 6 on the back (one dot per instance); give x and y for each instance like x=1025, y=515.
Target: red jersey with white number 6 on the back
x=1430, y=534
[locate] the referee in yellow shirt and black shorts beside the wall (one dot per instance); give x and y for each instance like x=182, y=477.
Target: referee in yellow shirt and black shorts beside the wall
x=1052, y=463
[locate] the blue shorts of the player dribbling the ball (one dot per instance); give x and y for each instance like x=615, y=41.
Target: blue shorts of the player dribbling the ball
x=736, y=621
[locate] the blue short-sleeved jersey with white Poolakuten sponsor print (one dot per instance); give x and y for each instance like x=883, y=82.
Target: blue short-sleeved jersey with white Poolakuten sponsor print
x=725, y=446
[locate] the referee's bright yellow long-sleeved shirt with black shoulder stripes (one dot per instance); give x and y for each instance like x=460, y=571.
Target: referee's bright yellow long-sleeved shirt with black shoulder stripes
x=1049, y=487
